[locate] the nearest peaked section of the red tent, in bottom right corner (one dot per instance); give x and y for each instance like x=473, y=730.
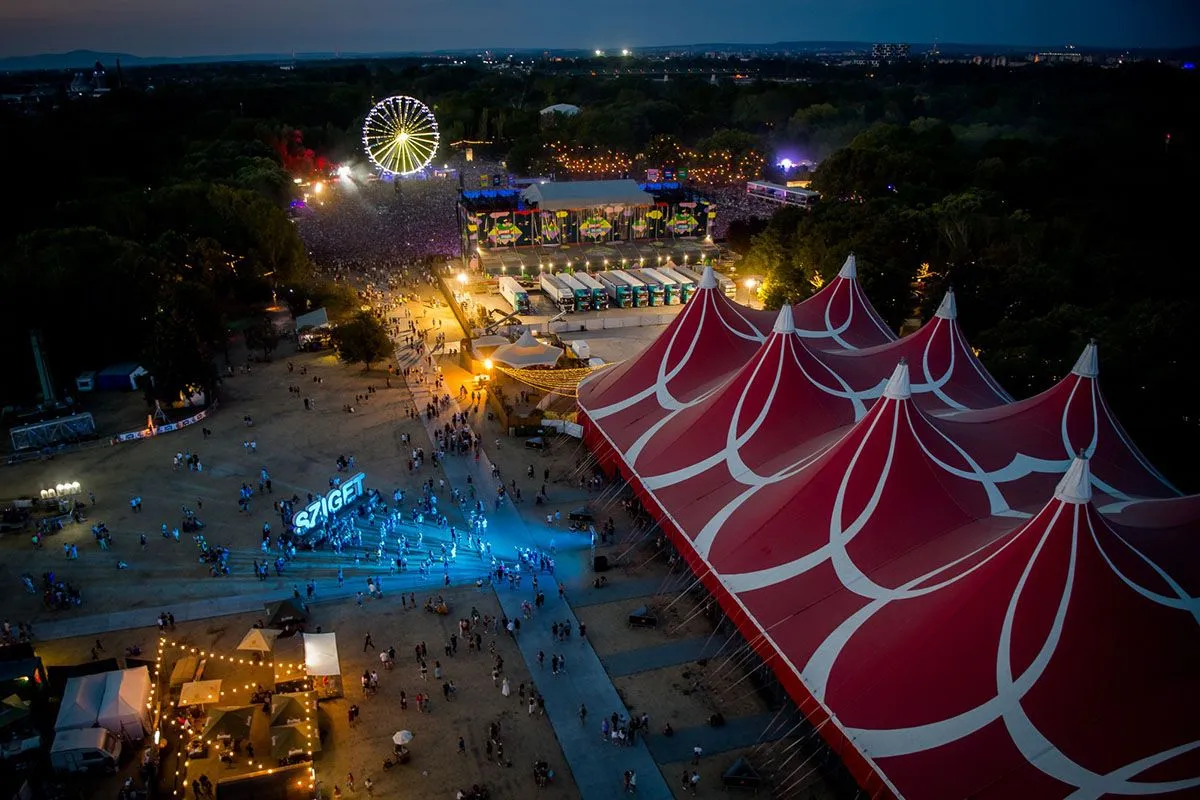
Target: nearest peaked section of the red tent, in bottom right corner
x=1063, y=661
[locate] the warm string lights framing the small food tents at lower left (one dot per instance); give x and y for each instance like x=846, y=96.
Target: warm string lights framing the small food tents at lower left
x=161, y=707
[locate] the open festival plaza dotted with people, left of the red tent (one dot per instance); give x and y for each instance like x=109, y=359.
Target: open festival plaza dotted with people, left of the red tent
x=535, y=711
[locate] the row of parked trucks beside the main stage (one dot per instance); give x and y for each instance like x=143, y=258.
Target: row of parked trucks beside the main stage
x=633, y=288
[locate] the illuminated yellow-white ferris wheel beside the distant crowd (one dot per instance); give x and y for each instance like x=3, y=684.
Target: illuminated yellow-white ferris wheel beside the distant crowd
x=400, y=136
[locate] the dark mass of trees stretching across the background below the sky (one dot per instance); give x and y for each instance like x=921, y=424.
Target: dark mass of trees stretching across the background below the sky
x=142, y=224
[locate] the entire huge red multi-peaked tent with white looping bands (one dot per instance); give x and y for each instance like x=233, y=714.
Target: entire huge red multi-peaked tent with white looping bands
x=892, y=567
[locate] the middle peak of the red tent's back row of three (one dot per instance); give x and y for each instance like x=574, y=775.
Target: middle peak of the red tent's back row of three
x=946, y=372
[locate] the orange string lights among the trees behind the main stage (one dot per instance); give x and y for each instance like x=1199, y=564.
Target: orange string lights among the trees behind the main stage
x=716, y=167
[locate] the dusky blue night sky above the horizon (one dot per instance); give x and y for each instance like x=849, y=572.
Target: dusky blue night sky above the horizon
x=173, y=28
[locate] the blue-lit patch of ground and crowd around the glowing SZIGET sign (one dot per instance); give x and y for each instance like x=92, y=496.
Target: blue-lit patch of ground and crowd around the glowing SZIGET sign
x=459, y=532
